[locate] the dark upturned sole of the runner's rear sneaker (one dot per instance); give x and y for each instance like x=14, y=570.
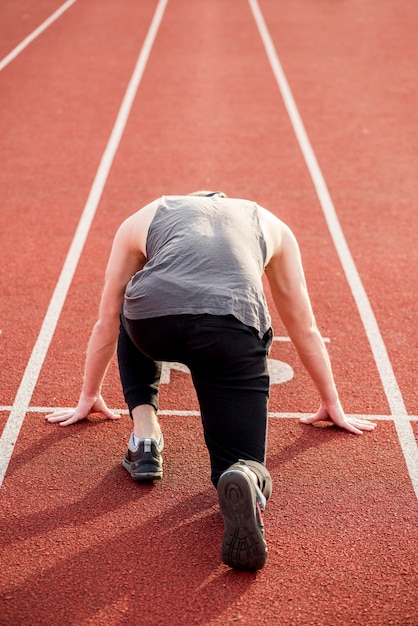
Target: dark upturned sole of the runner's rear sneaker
x=243, y=545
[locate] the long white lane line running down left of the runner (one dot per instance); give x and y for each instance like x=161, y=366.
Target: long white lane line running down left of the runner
x=33, y=368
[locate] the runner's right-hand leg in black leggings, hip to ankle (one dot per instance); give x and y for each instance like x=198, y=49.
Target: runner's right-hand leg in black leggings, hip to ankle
x=229, y=369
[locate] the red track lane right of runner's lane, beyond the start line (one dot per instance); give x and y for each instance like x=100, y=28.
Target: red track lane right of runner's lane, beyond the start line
x=355, y=63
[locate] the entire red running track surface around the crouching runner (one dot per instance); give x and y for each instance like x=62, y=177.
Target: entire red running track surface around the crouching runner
x=83, y=545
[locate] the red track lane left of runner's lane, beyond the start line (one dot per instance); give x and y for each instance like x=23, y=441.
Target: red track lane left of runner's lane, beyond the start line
x=51, y=148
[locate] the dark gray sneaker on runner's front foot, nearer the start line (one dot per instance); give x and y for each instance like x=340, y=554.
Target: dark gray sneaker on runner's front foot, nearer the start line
x=144, y=463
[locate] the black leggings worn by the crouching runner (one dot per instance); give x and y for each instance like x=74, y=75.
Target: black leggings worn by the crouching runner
x=228, y=364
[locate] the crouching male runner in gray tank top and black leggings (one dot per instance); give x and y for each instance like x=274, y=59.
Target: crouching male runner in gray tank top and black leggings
x=184, y=283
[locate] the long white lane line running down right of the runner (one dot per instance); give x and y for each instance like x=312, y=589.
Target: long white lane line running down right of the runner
x=394, y=397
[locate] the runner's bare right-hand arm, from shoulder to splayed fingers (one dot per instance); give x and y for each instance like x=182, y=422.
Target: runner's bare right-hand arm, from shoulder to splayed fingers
x=288, y=286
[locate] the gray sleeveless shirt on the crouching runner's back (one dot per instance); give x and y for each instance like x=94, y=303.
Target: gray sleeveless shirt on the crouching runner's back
x=204, y=255
